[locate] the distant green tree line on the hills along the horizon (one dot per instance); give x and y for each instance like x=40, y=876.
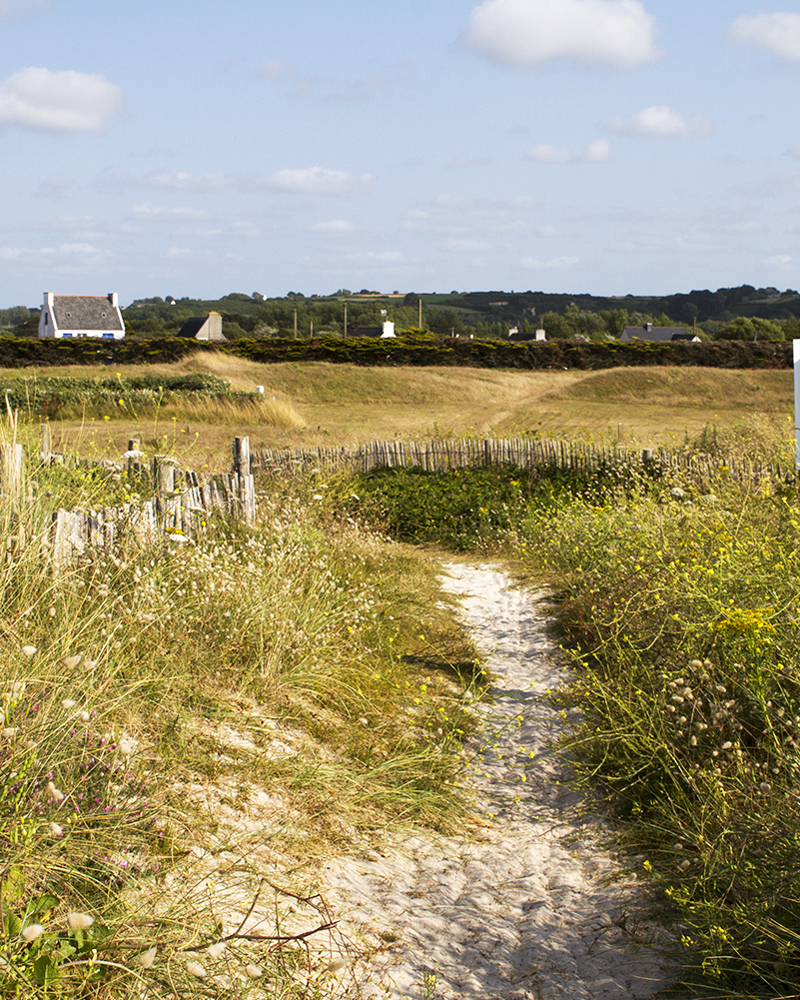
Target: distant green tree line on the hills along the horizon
x=741, y=313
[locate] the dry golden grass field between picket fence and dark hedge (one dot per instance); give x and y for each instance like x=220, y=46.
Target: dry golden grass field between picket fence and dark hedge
x=322, y=403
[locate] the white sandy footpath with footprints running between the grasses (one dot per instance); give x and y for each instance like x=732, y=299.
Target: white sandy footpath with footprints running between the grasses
x=528, y=906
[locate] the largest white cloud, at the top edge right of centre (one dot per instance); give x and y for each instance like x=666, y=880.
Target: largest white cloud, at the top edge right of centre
x=615, y=33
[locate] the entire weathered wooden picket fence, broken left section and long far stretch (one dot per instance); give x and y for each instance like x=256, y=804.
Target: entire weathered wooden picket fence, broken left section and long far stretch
x=181, y=503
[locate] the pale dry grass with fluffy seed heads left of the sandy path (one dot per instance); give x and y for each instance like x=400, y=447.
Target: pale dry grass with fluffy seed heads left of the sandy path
x=186, y=726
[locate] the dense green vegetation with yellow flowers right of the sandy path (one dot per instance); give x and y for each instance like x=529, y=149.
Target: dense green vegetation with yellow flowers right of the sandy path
x=680, y=607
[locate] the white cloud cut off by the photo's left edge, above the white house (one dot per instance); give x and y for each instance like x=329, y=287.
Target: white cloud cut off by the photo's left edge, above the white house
x=65, y=101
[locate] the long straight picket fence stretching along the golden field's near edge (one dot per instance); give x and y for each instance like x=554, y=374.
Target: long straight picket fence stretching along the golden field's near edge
x=444, y=454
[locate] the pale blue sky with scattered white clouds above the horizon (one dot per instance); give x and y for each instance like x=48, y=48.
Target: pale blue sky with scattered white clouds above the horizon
x=601, y=146
